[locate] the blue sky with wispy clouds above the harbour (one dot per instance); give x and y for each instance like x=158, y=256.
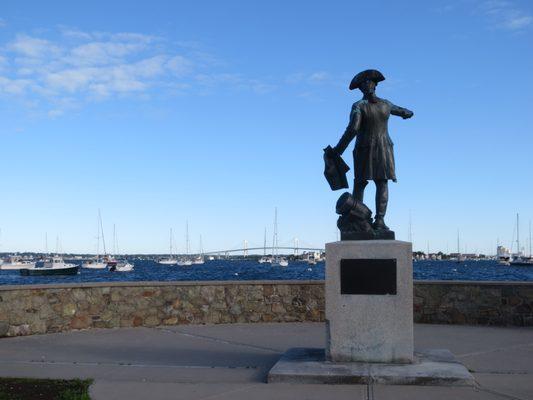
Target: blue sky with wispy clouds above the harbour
x=217, y=112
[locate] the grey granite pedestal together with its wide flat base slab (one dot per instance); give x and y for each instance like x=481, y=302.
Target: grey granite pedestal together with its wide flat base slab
x=369, y=313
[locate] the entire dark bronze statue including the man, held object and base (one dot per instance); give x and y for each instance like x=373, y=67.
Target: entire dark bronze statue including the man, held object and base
x=373, y=156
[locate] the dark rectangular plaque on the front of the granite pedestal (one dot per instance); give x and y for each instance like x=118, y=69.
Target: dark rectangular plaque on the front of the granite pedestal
x=368, y=276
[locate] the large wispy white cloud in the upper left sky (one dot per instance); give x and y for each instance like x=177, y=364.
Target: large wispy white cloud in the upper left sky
x=61, y=74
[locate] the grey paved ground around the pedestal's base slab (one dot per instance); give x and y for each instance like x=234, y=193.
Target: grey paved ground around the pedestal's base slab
x=218, y=362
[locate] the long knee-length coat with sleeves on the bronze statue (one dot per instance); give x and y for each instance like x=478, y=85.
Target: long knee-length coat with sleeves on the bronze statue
x=373, y=153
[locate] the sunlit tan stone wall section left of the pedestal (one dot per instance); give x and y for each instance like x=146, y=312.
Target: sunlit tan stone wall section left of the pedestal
x=34, y=309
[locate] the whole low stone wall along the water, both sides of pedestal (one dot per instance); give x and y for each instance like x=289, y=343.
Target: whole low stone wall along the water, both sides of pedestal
x=31, y=309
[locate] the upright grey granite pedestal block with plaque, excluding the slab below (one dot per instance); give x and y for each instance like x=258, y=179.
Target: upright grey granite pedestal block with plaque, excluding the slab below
x=369, y=301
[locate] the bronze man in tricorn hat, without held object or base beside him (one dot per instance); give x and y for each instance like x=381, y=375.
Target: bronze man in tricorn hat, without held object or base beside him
x=373, y=153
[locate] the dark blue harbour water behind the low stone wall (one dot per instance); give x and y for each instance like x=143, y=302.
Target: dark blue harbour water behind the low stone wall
x=218, y=270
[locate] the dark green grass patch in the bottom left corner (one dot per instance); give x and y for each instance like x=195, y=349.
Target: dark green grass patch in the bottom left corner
x=44, y=389
